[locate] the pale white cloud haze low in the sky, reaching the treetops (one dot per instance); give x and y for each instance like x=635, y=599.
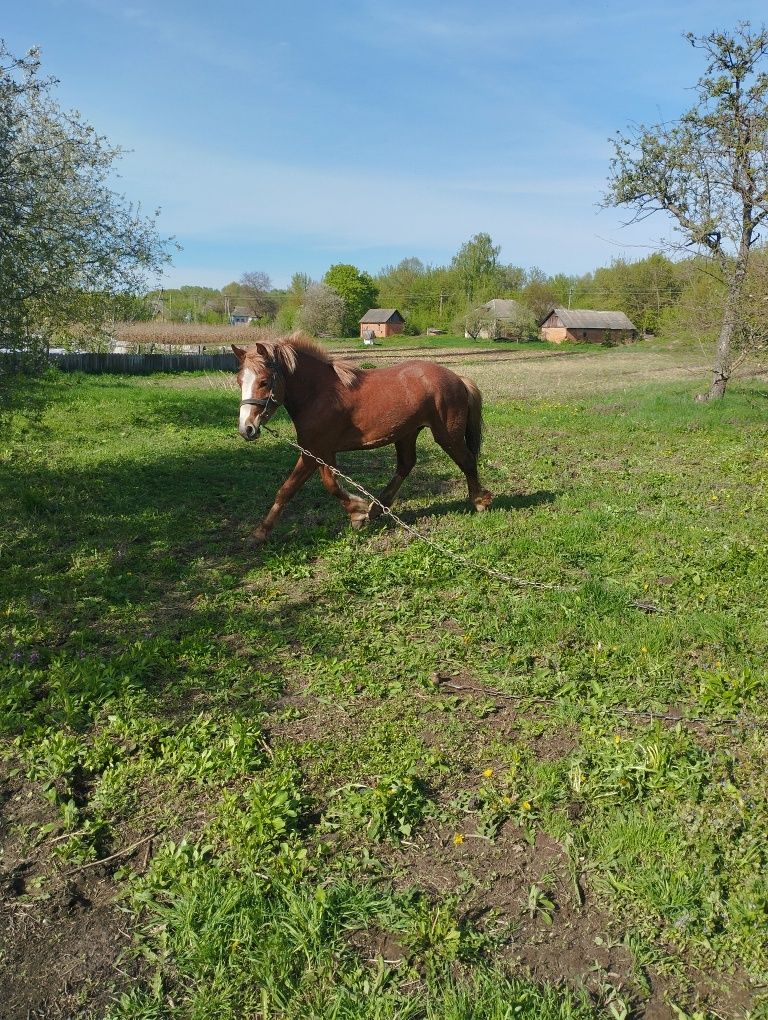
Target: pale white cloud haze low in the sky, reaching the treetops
x=212, y=199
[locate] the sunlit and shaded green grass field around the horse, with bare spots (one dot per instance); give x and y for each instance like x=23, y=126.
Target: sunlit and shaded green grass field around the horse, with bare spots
x=342, y=777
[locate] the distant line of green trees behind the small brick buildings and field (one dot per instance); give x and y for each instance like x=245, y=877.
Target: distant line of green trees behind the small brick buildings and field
x=683, y=298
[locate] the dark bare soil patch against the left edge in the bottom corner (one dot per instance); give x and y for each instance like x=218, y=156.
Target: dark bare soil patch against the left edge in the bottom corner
x=62, y=937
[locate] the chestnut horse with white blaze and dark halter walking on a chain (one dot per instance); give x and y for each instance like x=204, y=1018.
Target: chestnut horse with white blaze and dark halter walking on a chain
x=335, y=407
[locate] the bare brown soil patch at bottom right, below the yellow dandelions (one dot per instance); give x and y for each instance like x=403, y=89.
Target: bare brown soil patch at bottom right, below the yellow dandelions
x=550, y=925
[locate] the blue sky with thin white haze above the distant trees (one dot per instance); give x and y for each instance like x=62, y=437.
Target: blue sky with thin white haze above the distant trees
x=287, y=137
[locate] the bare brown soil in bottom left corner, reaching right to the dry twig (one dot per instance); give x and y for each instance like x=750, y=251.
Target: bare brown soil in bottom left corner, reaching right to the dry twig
x=64, y=937
